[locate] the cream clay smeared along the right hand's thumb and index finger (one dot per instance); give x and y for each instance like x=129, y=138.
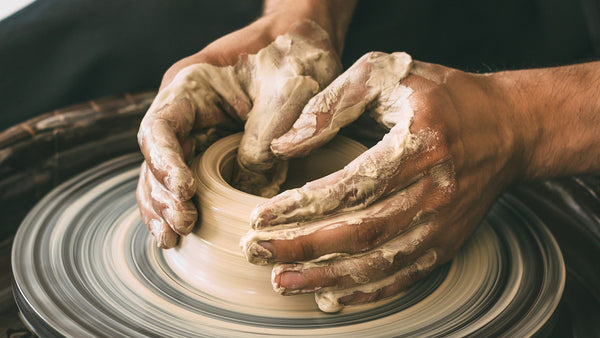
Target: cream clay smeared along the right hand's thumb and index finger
x=389, y=101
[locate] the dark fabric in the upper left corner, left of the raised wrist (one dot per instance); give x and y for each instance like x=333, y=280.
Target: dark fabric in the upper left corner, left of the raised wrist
x=57, y=52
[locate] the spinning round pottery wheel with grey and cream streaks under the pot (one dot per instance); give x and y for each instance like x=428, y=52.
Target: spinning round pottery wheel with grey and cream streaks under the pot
x=84, y=264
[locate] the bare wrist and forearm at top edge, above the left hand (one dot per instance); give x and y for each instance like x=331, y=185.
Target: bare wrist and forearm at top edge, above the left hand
x=332, y=15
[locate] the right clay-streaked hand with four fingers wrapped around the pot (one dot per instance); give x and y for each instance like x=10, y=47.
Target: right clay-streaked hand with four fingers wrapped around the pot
x=404, y=206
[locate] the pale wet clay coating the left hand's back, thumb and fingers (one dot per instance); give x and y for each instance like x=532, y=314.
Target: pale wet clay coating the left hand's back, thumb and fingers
x=198, y=92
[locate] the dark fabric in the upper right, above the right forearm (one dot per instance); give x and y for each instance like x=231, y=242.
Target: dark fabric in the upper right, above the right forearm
x=476, y=35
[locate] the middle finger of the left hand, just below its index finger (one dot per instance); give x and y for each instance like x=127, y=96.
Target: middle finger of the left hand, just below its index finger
x=181, y=216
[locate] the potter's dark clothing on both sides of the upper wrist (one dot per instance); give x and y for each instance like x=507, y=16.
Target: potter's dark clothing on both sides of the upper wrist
x=58, y=52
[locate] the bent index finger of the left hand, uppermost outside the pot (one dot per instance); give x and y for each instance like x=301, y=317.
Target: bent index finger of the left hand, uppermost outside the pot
x=160, y=137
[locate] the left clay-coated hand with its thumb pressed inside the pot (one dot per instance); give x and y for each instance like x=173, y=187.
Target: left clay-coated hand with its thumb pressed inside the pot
x=248, y=77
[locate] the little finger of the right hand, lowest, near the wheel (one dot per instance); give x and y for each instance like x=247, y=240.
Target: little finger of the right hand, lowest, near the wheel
x=333, y=300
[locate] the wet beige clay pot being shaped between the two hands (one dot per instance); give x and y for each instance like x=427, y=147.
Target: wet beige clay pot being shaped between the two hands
x=210, y=259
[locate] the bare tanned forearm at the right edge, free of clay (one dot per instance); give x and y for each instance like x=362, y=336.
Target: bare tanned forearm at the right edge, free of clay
x=556, y=116
